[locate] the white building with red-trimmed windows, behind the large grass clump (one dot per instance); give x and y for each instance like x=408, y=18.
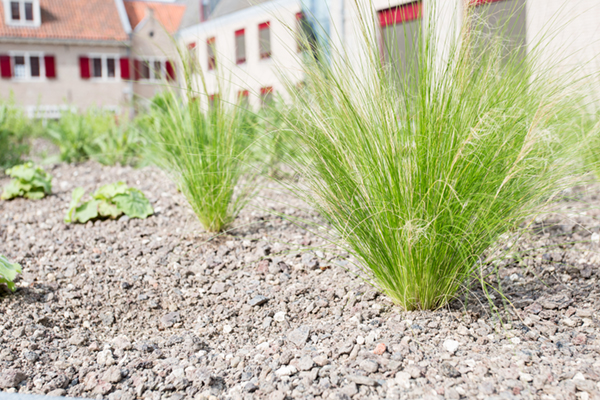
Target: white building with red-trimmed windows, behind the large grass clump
x=230, y=45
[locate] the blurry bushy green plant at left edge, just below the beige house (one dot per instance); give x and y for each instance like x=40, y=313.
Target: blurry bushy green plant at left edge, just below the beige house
x=14, y=131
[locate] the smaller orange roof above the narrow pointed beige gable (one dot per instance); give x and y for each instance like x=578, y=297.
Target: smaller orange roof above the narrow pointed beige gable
x=169, y=15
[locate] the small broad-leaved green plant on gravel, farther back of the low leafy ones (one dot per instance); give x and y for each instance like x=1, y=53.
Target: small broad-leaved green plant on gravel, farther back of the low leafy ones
x=28, y=181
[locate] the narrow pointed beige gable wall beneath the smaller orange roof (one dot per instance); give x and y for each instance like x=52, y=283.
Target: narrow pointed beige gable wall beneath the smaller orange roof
x=150, y=39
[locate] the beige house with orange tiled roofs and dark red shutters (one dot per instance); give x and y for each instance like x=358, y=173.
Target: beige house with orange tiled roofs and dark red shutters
x=75, y=54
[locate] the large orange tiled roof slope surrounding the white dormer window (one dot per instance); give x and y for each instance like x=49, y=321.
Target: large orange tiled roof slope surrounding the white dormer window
x=88, y=20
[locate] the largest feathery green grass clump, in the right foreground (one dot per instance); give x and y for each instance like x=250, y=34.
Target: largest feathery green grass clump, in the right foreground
x=420, y=170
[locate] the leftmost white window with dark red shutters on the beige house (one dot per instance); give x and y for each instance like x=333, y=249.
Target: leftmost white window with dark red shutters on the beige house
x=25, y=66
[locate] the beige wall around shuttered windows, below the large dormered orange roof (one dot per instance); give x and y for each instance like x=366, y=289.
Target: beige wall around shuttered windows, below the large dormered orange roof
x=68, y=87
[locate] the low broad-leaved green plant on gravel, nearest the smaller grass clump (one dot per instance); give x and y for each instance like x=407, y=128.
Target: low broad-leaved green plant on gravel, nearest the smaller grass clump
x=110, y=201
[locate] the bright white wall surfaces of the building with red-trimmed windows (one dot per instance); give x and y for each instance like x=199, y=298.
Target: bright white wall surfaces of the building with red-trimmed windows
x=573, y=26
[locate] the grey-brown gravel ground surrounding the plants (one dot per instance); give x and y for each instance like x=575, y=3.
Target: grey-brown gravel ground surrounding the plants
x=157, y=309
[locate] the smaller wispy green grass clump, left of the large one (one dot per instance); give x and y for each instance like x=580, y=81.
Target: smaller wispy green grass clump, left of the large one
x=205, y=148
